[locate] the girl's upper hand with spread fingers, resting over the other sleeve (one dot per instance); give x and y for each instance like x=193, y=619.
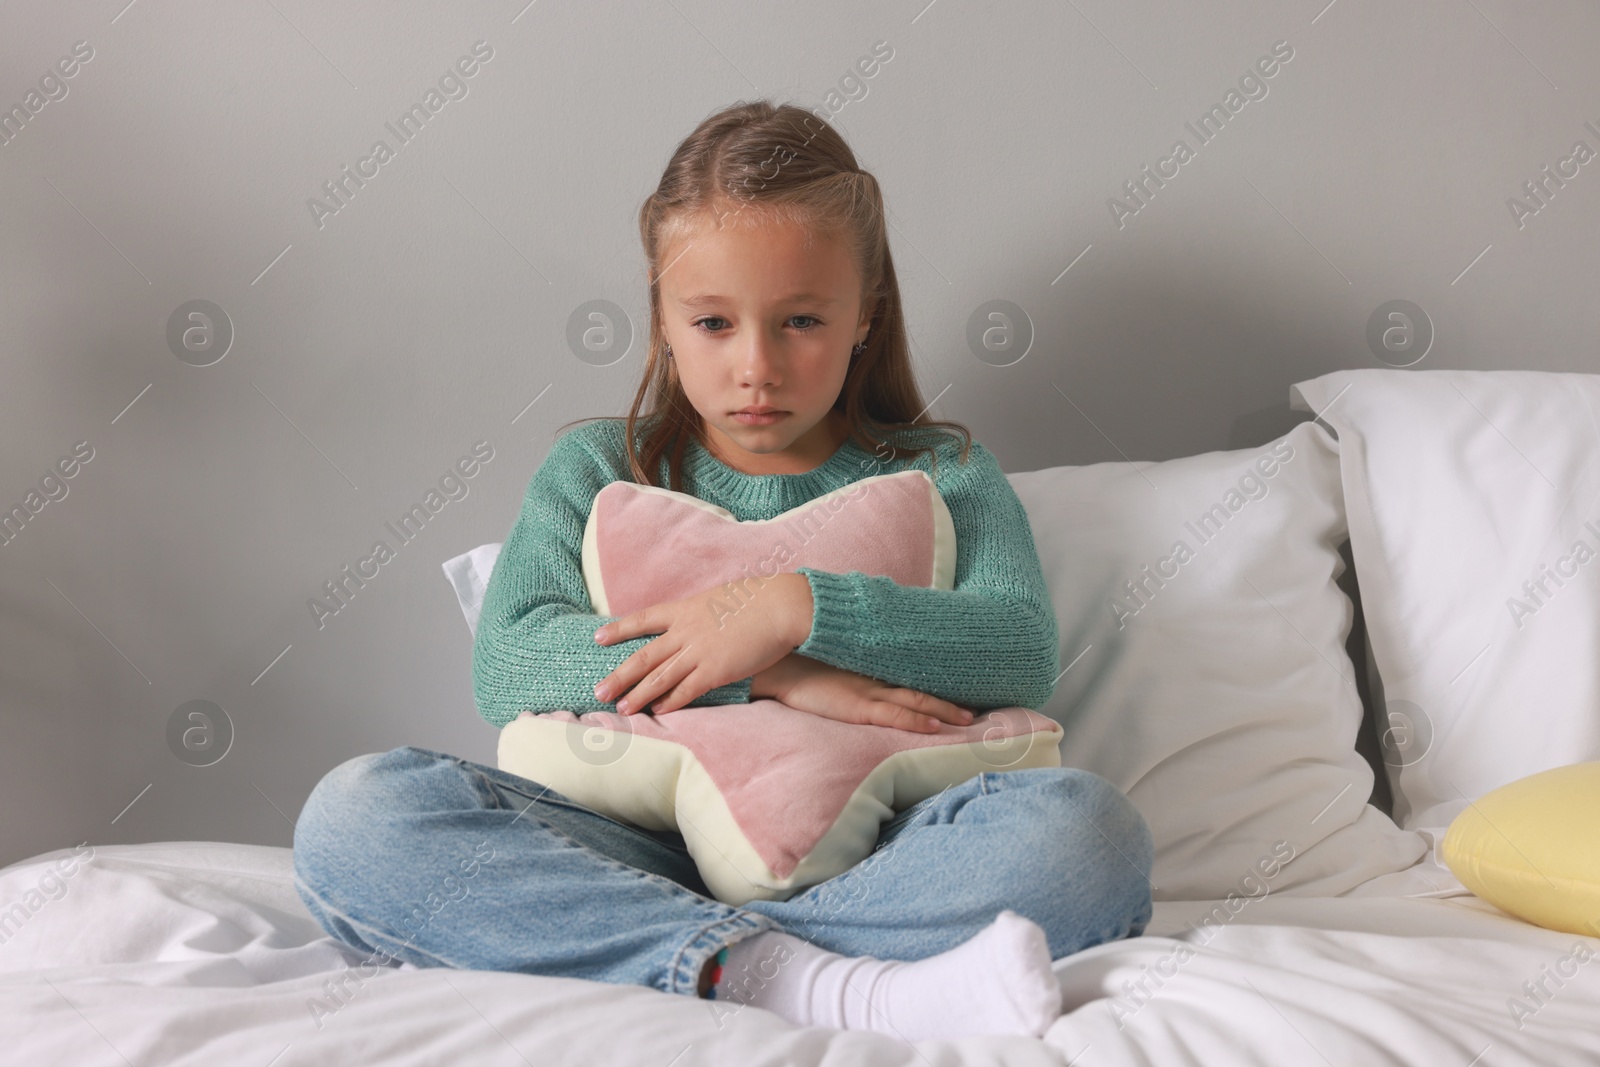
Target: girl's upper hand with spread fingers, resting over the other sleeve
x=708, y=639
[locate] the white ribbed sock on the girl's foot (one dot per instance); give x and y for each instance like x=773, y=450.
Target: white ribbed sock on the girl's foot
x=996, y=983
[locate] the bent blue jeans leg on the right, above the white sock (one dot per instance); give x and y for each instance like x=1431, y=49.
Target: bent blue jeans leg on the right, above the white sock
x=1062, y=847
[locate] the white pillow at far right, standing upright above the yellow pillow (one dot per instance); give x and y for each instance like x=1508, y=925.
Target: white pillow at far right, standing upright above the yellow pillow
x=1466, y=489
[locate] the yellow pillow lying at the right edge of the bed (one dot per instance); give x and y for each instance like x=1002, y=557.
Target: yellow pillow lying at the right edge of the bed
x=1534, y=849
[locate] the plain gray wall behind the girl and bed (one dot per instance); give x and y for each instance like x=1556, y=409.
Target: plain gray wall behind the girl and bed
x=375, y=346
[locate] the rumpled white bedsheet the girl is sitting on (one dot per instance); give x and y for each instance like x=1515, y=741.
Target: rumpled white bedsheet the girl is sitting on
x=199, y=953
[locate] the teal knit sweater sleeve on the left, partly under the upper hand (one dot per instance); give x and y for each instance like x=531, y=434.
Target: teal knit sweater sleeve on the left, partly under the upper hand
x=535, y=647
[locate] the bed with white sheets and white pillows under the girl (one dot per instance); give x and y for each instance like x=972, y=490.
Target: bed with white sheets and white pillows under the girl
x=1366, y=949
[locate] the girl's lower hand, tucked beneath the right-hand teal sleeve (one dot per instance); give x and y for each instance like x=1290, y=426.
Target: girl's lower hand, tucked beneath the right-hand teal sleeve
x=810, y=685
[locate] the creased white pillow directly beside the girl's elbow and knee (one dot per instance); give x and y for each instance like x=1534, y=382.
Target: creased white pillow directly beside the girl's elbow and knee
x=1223, y=700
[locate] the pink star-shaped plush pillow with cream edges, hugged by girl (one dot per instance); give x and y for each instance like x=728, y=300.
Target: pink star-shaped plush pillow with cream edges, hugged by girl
x=769, y=799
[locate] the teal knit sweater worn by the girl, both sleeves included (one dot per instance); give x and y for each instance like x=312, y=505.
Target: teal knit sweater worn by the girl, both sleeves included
x=990, y=642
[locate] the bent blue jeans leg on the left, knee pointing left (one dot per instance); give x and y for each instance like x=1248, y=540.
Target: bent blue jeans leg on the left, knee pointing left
x=428, y=858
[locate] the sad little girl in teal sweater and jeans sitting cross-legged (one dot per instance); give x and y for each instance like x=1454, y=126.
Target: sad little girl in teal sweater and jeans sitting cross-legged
x=778, y=370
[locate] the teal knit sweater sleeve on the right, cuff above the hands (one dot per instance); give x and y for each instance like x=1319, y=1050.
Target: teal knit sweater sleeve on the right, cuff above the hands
x=990, y=642
